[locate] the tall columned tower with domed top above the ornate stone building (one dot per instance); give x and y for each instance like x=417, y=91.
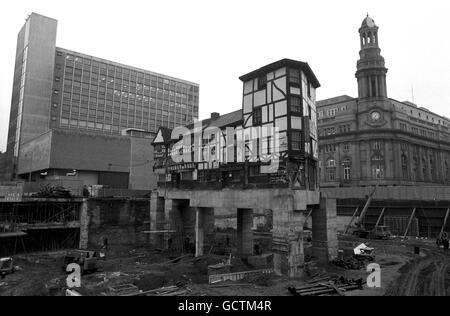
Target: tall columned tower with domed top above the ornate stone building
x=371, y=72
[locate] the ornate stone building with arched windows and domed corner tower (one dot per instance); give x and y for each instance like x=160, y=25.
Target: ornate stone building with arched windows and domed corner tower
x=374, y=139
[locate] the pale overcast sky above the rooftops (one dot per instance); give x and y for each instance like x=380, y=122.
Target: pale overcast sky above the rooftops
x=214, y=42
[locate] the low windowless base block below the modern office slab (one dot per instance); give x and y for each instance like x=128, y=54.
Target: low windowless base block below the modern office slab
x=91, y=154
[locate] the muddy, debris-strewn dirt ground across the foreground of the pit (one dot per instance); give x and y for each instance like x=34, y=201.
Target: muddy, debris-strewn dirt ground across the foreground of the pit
x=403, y=273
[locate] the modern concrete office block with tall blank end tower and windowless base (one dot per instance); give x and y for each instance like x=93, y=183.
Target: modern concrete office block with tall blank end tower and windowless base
x=78, y=104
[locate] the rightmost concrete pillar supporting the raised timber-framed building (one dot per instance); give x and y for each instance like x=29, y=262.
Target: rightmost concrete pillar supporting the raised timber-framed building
x=325, y=243
